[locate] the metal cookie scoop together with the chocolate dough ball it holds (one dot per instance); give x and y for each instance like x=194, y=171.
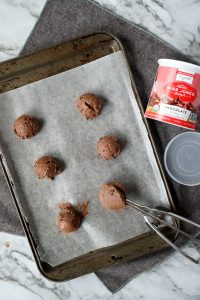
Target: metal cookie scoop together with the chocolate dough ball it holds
x=112, y=196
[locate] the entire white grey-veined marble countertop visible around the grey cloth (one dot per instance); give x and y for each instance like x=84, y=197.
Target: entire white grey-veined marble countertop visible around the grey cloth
x=176, y=278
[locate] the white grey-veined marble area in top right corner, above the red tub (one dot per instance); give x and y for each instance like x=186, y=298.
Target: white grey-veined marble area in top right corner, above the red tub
x=176, y=22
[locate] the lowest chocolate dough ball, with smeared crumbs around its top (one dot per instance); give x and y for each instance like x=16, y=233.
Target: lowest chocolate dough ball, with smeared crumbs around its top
x=69, y=218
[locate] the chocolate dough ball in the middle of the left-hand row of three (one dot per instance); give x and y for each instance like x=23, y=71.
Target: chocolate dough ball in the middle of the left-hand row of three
x=47, y=167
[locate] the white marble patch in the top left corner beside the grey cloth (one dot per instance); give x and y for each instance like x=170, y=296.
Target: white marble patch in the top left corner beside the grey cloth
x=17, y=18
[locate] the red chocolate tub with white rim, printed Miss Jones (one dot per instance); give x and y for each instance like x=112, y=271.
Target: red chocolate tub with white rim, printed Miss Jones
x=175, y=96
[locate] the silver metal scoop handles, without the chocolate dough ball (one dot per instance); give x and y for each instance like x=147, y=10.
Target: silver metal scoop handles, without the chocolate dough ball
x=157, y=217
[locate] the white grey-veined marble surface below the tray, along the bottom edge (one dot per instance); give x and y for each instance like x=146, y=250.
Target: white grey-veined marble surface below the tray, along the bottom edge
x=175, y=279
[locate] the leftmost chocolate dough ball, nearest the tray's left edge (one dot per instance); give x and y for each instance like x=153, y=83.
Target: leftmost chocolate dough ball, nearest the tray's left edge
x=26, y=126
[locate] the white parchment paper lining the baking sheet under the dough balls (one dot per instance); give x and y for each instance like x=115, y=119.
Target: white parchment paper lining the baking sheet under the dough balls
x=69, y=137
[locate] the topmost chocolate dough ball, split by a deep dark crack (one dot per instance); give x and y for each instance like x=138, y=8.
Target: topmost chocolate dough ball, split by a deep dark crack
x=89, y=105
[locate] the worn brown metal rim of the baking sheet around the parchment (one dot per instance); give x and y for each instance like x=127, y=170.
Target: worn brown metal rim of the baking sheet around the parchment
x=62, y=272
